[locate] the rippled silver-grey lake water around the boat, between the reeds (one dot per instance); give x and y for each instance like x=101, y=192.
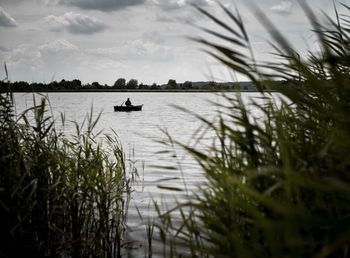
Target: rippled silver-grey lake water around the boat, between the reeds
x=139, y=132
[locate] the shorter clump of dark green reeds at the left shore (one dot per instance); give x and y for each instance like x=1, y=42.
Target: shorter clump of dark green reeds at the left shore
x=60, y=196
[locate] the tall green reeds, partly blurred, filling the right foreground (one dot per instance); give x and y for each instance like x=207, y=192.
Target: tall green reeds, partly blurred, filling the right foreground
x=277, y=185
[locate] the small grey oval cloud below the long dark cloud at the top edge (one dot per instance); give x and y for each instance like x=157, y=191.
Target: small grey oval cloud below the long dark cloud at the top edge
x=75, y=23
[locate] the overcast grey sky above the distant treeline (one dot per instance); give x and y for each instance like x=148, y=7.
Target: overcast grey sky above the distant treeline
x=103, y=40
